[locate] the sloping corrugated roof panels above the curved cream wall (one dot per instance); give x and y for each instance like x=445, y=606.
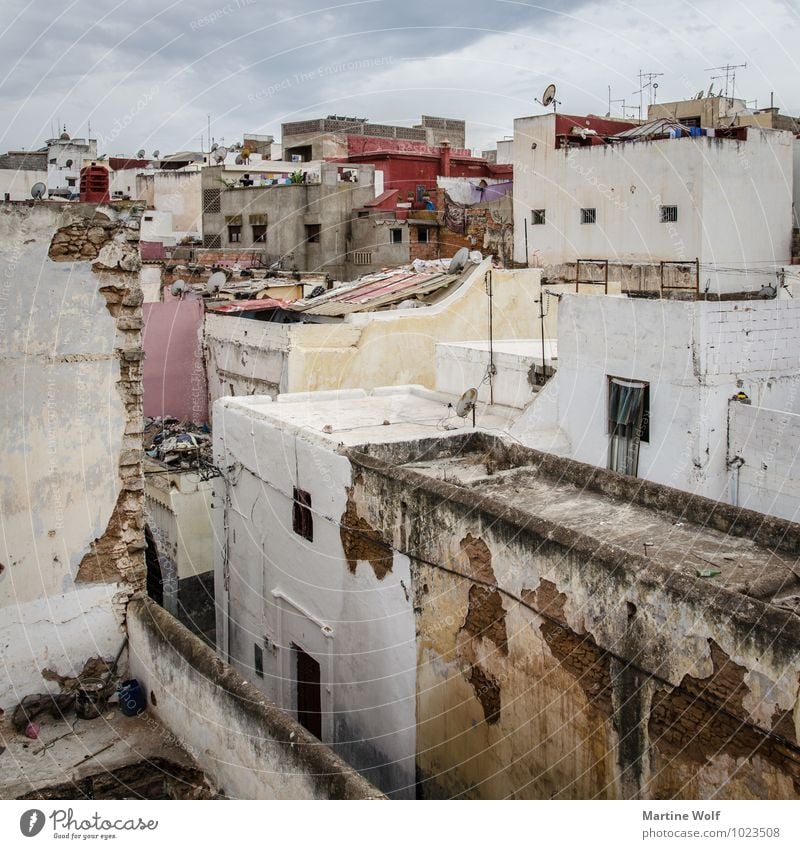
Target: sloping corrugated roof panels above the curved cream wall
x=374, y=291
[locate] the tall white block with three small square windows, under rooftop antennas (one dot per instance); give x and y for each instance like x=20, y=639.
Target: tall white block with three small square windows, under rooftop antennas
x=643, y=197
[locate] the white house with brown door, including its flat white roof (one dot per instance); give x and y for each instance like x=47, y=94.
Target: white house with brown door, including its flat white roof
x=310, y=607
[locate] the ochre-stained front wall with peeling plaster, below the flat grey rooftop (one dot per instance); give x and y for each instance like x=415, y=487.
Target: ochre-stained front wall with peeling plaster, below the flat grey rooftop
x=550, y=665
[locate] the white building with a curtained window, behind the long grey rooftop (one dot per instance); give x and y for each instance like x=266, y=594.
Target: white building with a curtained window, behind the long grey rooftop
x=703, y=396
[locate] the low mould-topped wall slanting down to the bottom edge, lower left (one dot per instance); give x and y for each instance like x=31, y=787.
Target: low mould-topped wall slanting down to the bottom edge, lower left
x=245, y=744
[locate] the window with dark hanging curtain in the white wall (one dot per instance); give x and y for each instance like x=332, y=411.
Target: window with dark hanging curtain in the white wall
x=628, y=423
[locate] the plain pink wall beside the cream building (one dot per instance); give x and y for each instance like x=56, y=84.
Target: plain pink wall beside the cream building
x=174, y=371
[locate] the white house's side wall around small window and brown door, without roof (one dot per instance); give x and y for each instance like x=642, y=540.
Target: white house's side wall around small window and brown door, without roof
x=342, y=598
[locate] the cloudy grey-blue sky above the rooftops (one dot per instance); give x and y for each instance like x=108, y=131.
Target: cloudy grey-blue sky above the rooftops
x=146, y=74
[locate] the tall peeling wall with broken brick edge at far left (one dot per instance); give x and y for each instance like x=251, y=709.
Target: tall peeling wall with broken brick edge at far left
x=71, y=487
